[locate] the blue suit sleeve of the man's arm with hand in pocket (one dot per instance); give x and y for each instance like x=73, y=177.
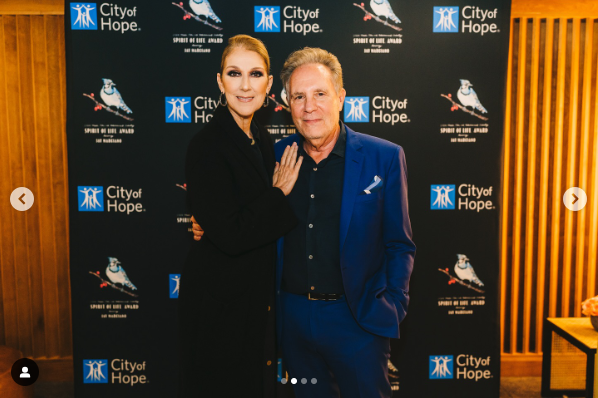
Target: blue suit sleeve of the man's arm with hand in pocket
x=399, y=246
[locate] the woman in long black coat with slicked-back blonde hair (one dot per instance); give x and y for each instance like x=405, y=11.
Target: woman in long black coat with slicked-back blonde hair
x=238, y=196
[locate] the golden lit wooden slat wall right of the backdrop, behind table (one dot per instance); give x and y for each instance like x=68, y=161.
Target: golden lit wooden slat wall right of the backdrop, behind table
x=548, y=253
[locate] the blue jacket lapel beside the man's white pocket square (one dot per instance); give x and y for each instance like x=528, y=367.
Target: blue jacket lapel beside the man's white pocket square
x=353, y=167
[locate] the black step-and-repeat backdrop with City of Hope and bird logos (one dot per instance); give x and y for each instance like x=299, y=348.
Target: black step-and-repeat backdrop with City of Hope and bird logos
x=428, y=75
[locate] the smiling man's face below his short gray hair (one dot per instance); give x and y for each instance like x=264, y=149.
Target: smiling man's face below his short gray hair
x=315, y=104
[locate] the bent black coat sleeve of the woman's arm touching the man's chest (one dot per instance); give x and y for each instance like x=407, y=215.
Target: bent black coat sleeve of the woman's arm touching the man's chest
x=230, y=227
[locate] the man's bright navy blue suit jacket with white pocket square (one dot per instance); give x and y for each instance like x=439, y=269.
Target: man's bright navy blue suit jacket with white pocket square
x=376, y=247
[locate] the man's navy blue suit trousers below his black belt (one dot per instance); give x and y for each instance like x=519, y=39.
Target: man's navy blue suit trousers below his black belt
x=322, y=342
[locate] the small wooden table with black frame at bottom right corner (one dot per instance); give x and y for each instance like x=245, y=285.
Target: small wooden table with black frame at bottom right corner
x=569, y=346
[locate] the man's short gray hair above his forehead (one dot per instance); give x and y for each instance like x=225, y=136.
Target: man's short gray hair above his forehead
x=310, y=55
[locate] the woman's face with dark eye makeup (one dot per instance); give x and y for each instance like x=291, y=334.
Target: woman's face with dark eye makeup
x=244, y=81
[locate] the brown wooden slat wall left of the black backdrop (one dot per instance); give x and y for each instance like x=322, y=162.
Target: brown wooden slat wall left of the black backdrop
x=35, y=309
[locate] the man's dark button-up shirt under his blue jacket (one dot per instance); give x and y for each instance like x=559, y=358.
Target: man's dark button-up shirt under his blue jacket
x=312, y=248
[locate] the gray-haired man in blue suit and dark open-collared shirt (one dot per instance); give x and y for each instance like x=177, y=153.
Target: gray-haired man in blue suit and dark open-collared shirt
x=343, y=272
